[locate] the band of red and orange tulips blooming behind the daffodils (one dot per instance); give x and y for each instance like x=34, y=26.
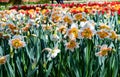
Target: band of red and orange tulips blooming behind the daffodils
x=90, y=7
